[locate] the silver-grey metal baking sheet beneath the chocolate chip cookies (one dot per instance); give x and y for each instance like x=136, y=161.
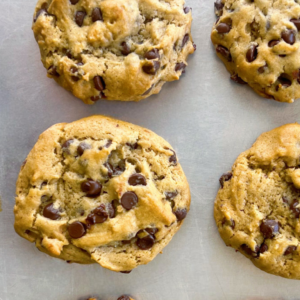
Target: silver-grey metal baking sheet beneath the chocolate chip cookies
x=208, y=120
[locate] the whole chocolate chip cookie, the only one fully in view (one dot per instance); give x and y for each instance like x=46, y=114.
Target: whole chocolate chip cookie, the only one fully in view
x=101, y=190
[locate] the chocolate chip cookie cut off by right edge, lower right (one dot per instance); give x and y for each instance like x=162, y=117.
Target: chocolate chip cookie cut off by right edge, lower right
x=257, y=208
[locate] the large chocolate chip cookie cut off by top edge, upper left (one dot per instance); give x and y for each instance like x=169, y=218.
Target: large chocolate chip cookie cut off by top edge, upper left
x=117, y=50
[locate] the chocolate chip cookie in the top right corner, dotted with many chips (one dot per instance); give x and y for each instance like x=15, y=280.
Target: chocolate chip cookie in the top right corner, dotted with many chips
x=258, y=41
